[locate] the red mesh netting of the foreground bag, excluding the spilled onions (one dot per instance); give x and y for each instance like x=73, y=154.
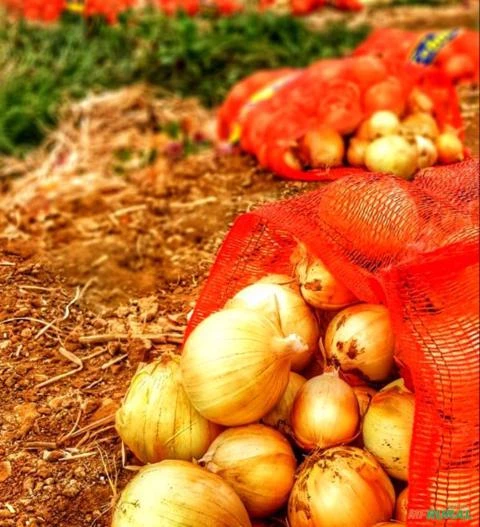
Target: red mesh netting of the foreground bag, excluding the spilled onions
x=374, y=233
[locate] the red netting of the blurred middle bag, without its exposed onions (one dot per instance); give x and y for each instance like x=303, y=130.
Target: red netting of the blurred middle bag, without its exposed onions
x=334, y=93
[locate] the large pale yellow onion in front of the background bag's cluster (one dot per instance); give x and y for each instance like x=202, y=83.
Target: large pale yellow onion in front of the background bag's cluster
x=393, y=155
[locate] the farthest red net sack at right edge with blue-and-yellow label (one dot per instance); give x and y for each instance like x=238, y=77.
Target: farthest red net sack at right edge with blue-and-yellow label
x=454, y=51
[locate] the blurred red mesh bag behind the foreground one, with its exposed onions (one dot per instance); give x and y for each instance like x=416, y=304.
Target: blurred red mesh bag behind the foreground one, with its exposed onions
x=362, y=112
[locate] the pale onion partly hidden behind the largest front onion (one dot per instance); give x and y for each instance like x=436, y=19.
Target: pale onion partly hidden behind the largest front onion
x=285, y=306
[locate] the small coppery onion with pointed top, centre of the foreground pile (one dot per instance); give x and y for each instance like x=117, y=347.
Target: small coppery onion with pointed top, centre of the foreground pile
x=325, y=413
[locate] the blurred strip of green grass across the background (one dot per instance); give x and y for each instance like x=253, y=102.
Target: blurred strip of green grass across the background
x=41, y=67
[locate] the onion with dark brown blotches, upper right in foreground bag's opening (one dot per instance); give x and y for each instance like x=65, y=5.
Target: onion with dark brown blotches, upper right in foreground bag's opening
x=360, y=340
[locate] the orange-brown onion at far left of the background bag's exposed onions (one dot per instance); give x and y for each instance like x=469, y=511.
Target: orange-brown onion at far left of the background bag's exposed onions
x=321, y=148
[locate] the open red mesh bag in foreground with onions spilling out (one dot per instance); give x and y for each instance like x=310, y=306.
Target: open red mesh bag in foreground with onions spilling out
x=330, y=368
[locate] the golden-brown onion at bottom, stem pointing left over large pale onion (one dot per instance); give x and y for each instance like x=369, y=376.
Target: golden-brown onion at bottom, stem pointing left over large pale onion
x=259, y=464
